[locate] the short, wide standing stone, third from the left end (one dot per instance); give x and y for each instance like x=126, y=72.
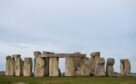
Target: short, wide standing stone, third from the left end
x=27, y=67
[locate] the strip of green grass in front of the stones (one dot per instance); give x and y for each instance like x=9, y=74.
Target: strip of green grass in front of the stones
x=69, y=80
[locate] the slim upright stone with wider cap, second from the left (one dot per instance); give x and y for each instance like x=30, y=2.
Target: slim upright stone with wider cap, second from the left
x=18, y=65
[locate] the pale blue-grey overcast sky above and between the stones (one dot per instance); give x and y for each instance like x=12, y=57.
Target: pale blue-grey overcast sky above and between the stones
x=108, y=26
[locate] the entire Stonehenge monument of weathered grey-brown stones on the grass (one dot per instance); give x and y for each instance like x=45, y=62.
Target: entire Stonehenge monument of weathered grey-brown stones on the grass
x=76, y=64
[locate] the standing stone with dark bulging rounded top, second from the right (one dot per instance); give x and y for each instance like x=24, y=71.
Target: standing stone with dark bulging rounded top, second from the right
x=109, y=67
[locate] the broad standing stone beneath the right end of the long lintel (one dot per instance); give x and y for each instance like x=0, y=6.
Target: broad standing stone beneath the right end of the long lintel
x=85, y=67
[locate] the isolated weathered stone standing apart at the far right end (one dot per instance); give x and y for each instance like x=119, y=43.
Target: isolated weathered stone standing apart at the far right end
x=125, y=67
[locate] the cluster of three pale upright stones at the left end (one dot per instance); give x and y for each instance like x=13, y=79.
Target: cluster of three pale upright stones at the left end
x=16, y=67
